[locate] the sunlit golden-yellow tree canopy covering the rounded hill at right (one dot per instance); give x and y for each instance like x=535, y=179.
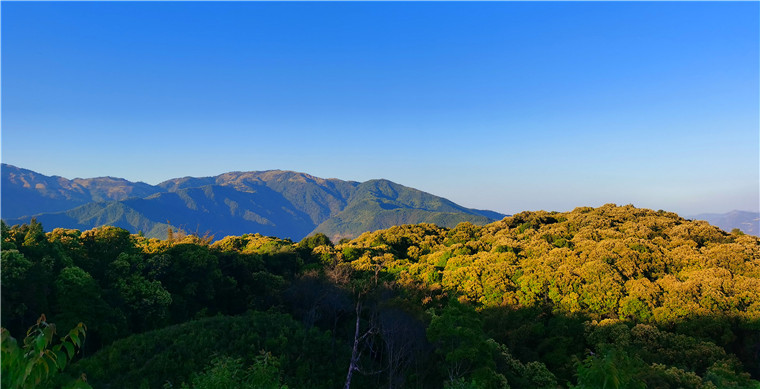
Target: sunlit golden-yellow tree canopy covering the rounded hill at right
x=609, y=262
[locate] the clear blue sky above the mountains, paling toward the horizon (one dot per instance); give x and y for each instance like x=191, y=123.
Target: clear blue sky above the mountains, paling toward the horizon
x=503, y=106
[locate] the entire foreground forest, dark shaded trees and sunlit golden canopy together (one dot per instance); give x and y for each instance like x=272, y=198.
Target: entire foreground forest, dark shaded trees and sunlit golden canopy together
x=615, y=297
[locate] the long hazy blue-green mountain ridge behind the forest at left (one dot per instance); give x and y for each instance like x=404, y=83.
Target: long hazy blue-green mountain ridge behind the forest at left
x=275, y=202
